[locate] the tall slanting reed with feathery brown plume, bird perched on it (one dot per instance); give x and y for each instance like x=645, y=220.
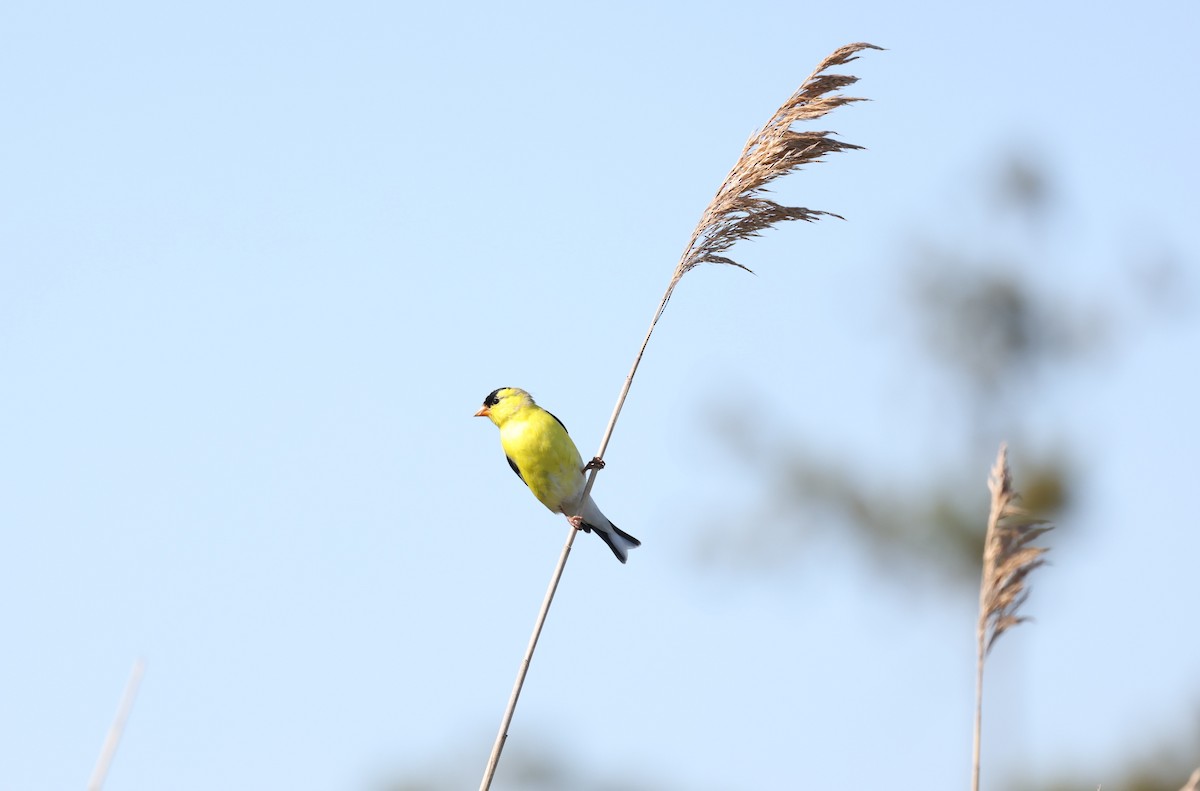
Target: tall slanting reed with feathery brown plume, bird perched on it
x=740, y=211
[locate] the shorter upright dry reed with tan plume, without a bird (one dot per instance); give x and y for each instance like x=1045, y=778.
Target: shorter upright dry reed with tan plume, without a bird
x=1009, y=559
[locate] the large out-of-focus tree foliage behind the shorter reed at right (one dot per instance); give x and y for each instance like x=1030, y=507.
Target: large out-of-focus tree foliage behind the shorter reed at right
x=1003, y=339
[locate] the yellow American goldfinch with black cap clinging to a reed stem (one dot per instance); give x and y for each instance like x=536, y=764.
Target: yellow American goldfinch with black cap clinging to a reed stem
x=543, y=456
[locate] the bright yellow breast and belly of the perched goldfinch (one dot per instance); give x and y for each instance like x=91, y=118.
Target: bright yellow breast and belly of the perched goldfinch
x=545, y=457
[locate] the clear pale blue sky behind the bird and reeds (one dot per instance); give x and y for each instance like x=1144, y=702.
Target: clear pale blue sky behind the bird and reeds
x=261, y=263
